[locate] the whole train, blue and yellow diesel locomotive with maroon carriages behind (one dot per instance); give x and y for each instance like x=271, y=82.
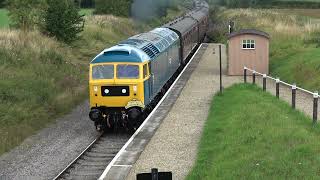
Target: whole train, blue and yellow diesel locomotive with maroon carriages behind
x=126, y=79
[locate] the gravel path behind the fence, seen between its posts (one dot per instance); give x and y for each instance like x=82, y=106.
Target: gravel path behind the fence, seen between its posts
x=304, y=101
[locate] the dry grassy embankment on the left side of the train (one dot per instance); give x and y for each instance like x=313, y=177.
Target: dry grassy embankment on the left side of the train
x=42, y=79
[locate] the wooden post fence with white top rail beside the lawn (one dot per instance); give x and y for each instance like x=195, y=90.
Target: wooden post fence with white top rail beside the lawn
x=294, y=89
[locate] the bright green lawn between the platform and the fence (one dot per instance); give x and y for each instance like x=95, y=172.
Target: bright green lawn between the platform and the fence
x=249, y=134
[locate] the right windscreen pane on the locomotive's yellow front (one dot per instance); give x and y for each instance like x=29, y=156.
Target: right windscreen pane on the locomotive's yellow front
x=128, y=71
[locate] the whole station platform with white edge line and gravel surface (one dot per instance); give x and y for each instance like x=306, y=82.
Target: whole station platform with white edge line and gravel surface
x=168, y=139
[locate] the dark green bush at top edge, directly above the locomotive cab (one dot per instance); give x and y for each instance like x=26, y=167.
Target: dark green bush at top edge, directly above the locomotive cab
x=115, y=7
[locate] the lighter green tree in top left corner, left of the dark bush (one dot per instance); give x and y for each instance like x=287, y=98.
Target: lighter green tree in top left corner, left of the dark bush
x=25, y=14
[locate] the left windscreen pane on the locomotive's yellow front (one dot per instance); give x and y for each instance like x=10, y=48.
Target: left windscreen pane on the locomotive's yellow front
x=103, y=72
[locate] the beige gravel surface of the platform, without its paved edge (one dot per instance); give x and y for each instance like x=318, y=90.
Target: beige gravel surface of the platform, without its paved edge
x=174, y=145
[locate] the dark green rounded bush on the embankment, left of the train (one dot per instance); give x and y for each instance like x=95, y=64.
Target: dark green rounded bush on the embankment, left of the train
x=62, y=20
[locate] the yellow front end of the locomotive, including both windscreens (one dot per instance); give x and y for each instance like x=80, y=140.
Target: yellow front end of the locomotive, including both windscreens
x=116, y=90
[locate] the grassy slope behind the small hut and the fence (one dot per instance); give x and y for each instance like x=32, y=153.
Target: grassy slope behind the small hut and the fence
x=294, y=55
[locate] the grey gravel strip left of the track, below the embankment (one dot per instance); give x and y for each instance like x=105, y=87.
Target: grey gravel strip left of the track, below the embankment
x=43, y=155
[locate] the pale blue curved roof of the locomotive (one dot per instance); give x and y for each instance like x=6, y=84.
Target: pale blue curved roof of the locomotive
x=139, y=48
